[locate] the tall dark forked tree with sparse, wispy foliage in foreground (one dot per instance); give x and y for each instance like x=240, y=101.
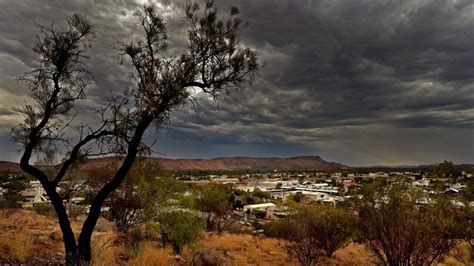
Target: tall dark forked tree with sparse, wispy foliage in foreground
x=213, y=62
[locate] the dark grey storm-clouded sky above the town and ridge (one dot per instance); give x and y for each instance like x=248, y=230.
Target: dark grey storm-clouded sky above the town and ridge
x=362, y=82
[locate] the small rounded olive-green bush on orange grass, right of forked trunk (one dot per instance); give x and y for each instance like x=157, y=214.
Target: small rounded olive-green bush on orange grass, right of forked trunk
x=180, y=228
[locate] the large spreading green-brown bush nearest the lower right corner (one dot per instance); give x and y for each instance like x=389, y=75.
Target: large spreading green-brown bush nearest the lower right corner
x=400, y=232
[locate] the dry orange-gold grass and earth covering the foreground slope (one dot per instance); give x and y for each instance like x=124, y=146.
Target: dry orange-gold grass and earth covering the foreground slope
x=26, y=237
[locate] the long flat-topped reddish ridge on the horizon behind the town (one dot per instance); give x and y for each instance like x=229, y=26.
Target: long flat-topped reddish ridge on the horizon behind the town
x=219, y=164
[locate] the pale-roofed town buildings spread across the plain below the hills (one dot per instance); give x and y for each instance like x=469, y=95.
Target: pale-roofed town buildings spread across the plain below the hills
x=324, y=188
